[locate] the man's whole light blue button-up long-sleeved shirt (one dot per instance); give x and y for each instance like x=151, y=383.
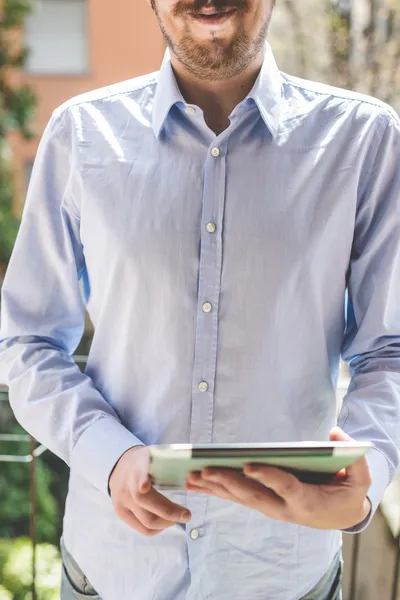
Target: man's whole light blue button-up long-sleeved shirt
x=269, y=223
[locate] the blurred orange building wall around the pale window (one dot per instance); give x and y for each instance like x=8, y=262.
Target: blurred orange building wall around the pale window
x=123, y=41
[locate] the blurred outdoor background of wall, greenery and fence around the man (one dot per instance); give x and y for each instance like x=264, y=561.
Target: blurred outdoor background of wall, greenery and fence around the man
x=52, y=50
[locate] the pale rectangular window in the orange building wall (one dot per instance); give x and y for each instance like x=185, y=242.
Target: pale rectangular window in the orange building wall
x=56, y=34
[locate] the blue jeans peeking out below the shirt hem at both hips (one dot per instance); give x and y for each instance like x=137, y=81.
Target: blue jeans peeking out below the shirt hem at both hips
x=75, y=585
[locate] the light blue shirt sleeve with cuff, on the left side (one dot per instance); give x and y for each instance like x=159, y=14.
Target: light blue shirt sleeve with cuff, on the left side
x=42, y=322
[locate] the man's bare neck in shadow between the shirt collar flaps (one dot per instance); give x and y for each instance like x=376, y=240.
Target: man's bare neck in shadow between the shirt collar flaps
x=217, y=99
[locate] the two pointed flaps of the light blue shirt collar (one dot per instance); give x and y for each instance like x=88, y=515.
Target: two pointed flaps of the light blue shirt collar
x=266, y=94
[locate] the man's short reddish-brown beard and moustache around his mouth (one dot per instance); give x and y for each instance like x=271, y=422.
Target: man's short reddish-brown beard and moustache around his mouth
x=216, y=59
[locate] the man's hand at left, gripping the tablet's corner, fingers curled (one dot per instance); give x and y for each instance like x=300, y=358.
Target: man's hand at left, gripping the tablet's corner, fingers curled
x=136, y=501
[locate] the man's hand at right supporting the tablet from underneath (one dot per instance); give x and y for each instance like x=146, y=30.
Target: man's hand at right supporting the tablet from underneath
x=281, y=495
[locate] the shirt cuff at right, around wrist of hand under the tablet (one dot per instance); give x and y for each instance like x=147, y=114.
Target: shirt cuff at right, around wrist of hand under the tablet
x=380, y=474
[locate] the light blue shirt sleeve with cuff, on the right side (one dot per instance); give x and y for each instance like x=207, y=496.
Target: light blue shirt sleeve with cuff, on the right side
x=371, y=408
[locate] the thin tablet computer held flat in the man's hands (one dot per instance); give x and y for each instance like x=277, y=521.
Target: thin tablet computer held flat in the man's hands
x=312, y=462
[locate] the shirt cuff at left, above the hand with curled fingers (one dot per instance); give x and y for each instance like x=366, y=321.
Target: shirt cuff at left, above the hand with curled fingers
x=98, y=450
